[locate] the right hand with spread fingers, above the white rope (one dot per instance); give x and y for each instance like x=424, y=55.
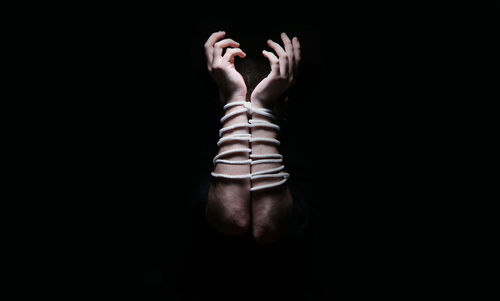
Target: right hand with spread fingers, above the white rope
x=283, y=74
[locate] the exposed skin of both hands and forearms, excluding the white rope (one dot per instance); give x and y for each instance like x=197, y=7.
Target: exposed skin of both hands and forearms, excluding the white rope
x=231, y=208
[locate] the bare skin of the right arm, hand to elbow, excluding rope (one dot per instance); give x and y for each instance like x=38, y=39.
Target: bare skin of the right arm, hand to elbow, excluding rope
x=271, y=208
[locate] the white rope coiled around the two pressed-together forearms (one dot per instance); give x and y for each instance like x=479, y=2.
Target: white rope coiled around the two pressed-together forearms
x=254, y=159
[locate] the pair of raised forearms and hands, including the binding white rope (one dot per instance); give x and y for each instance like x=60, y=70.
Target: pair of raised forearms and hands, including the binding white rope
x=248, y=178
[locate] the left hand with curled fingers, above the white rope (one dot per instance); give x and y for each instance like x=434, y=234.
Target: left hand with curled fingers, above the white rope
x=221, y=68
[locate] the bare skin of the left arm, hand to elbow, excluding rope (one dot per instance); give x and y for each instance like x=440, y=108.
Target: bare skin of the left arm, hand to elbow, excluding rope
x=228, y=204
